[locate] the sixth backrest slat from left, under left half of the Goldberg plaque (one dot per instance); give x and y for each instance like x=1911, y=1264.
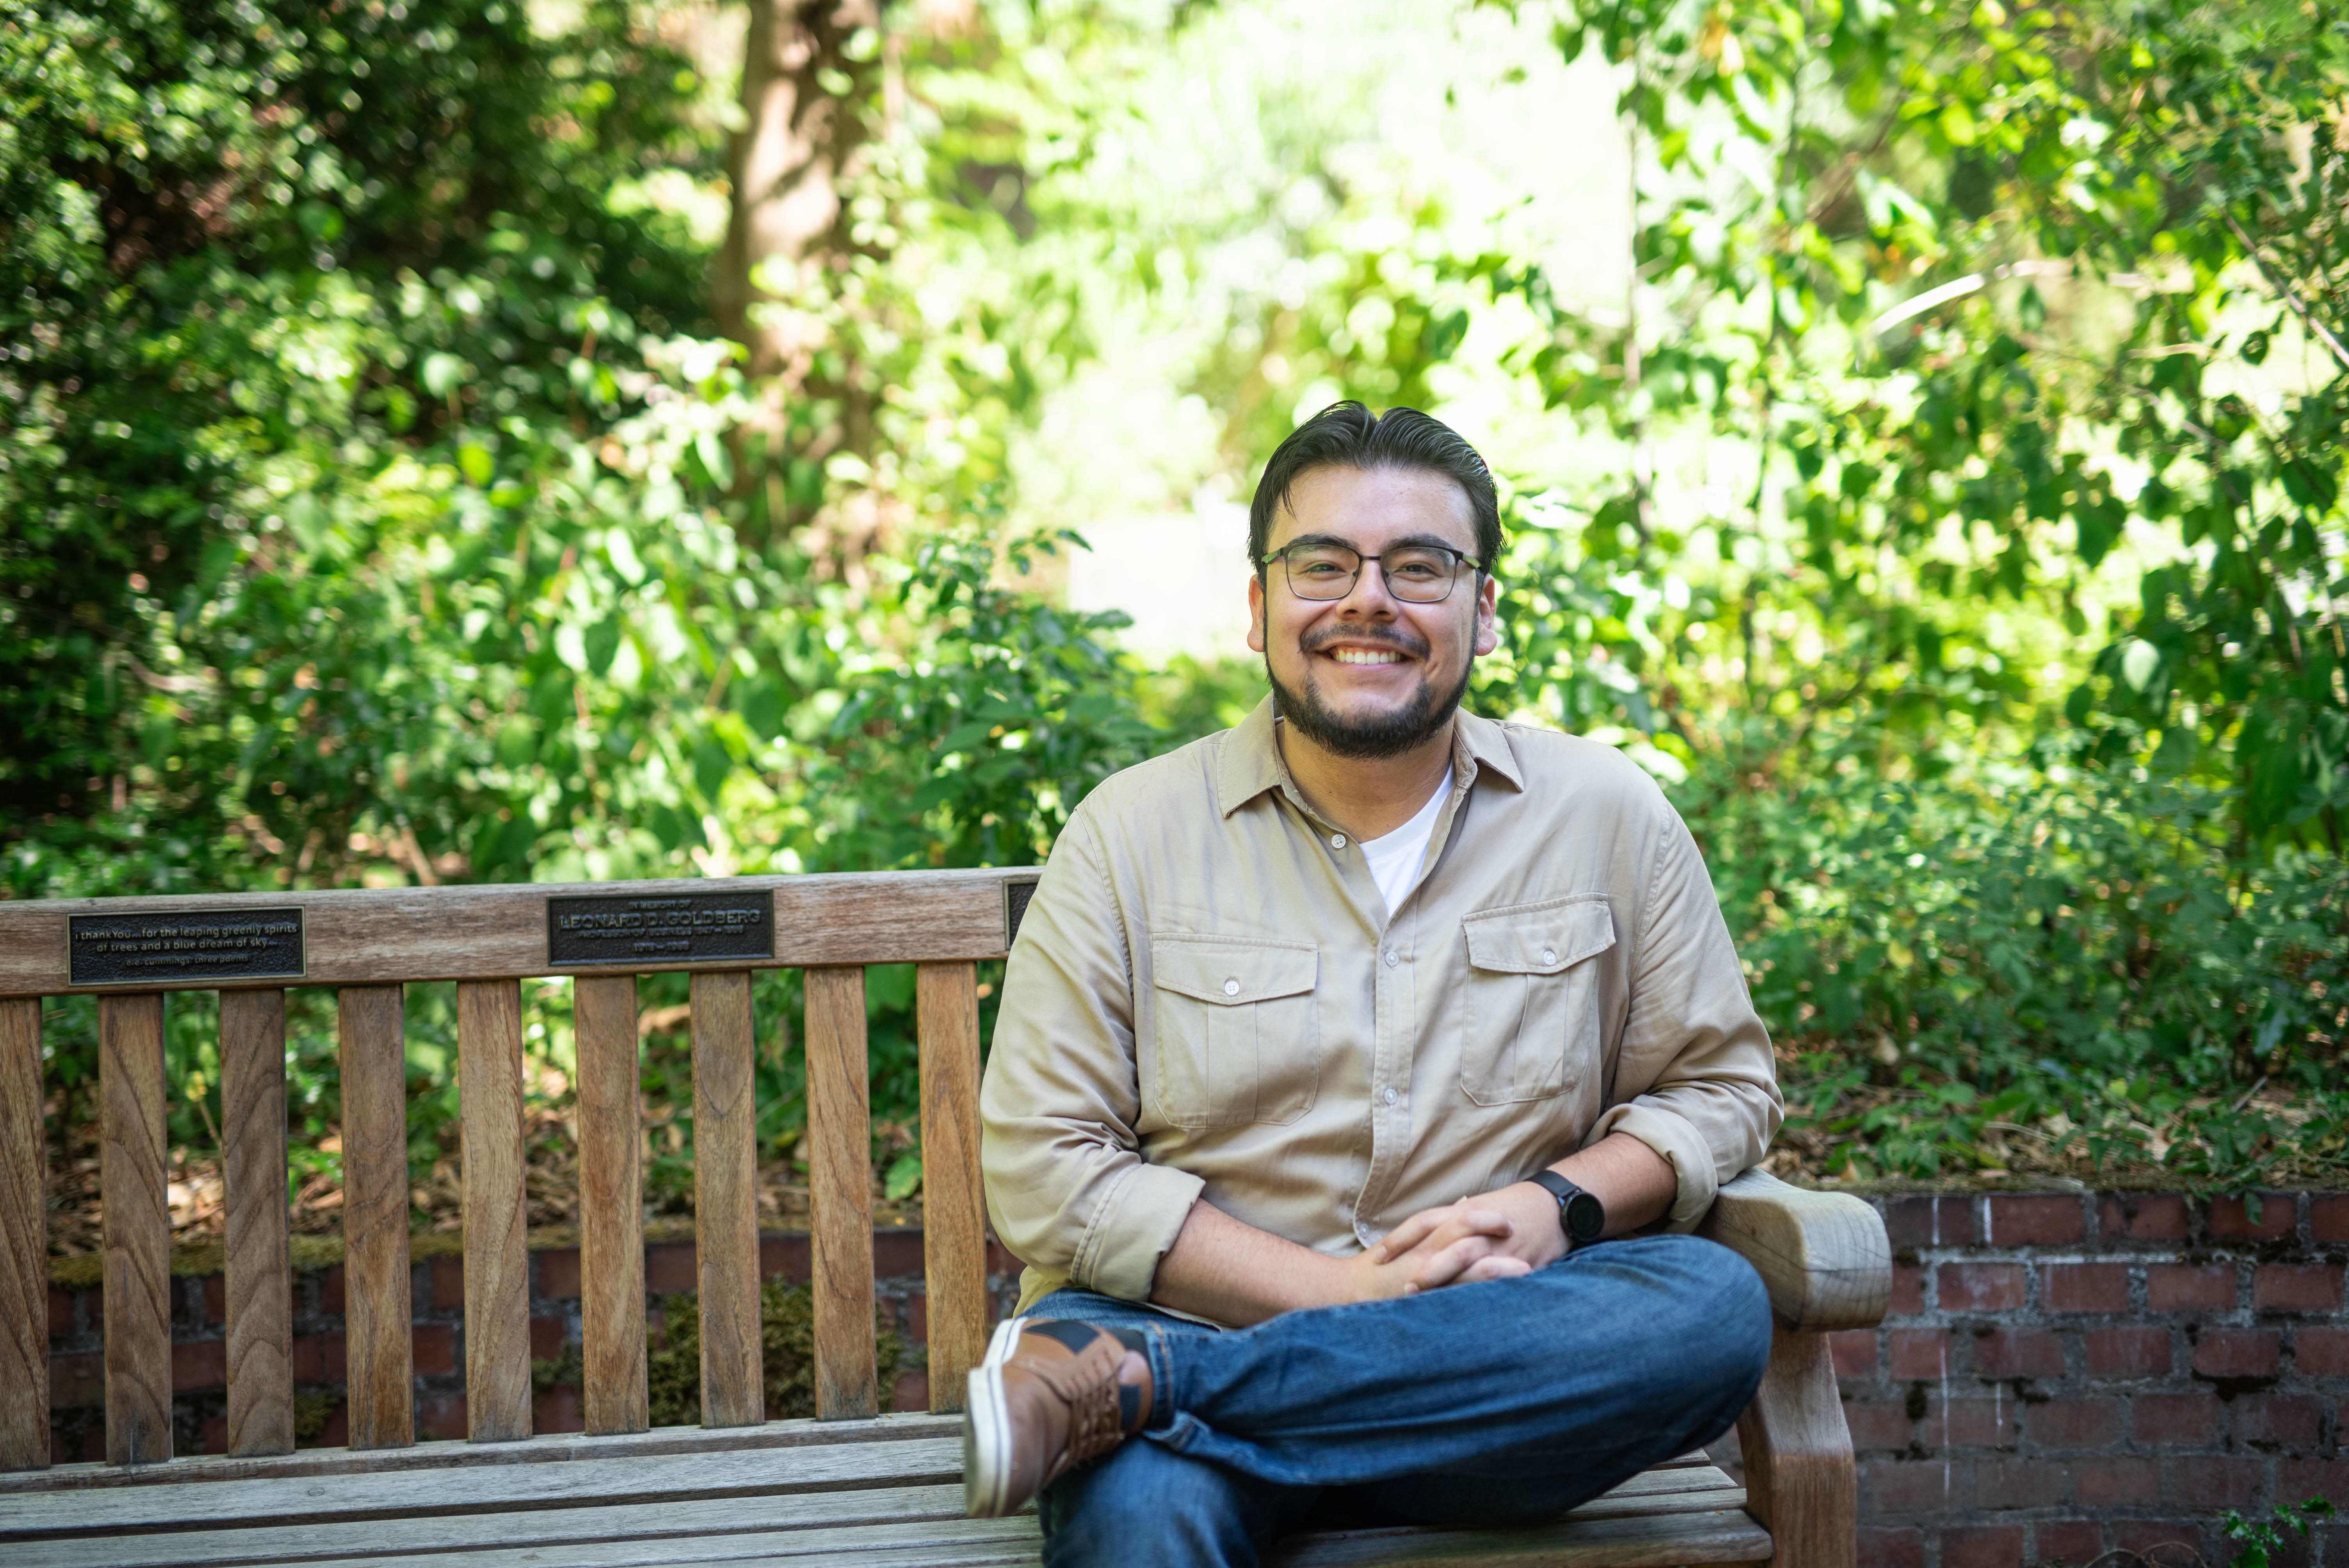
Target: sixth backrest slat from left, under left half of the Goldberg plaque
x=612, y=1205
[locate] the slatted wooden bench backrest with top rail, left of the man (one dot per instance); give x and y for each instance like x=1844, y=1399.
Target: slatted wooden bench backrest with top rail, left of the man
x=370, y=945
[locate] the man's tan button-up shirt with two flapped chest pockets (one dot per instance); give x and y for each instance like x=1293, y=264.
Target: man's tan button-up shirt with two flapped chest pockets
x=1209, y=999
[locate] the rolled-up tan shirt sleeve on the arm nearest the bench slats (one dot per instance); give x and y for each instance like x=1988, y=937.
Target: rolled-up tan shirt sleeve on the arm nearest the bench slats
x=1068, y=1187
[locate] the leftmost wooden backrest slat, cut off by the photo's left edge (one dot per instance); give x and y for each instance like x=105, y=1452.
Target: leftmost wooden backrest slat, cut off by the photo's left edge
x=25, y=1245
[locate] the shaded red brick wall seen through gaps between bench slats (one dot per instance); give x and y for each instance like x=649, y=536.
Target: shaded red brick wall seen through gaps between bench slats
x=438, y=1337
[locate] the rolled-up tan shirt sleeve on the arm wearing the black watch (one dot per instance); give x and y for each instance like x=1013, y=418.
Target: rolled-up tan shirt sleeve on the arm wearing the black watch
x=1695, y=1074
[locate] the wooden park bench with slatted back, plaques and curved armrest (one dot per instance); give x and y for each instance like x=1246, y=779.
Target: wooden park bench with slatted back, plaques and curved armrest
x=852, y=1485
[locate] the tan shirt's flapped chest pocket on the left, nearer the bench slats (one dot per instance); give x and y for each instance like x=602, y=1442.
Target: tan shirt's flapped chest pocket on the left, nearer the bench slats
x=1237, y=1034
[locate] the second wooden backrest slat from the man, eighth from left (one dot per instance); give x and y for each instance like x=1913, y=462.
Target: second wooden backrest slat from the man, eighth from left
x=840, y=1196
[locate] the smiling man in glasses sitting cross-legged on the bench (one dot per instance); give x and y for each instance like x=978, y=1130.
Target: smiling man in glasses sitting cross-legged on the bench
x=1331, y=1050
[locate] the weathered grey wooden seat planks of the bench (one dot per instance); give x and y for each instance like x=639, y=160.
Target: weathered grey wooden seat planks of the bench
x=884, y=1492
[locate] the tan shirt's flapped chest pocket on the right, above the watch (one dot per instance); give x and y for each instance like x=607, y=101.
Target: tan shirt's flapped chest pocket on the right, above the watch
x=1530, y=1015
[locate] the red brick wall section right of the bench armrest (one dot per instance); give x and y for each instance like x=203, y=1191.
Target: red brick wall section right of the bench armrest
x=2068, y=1374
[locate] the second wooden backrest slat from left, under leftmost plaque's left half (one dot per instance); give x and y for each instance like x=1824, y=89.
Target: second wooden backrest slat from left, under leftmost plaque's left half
x=137, y=1231
